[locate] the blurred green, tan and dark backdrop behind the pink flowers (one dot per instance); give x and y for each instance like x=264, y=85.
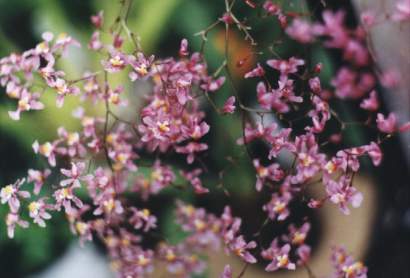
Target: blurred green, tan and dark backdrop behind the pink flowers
x=378, y=232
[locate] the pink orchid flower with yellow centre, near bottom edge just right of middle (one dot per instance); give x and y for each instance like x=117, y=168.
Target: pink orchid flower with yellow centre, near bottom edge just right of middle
x=279, y=257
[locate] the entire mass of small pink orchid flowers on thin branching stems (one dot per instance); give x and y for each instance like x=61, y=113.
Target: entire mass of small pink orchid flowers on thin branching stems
x=107, y=159
